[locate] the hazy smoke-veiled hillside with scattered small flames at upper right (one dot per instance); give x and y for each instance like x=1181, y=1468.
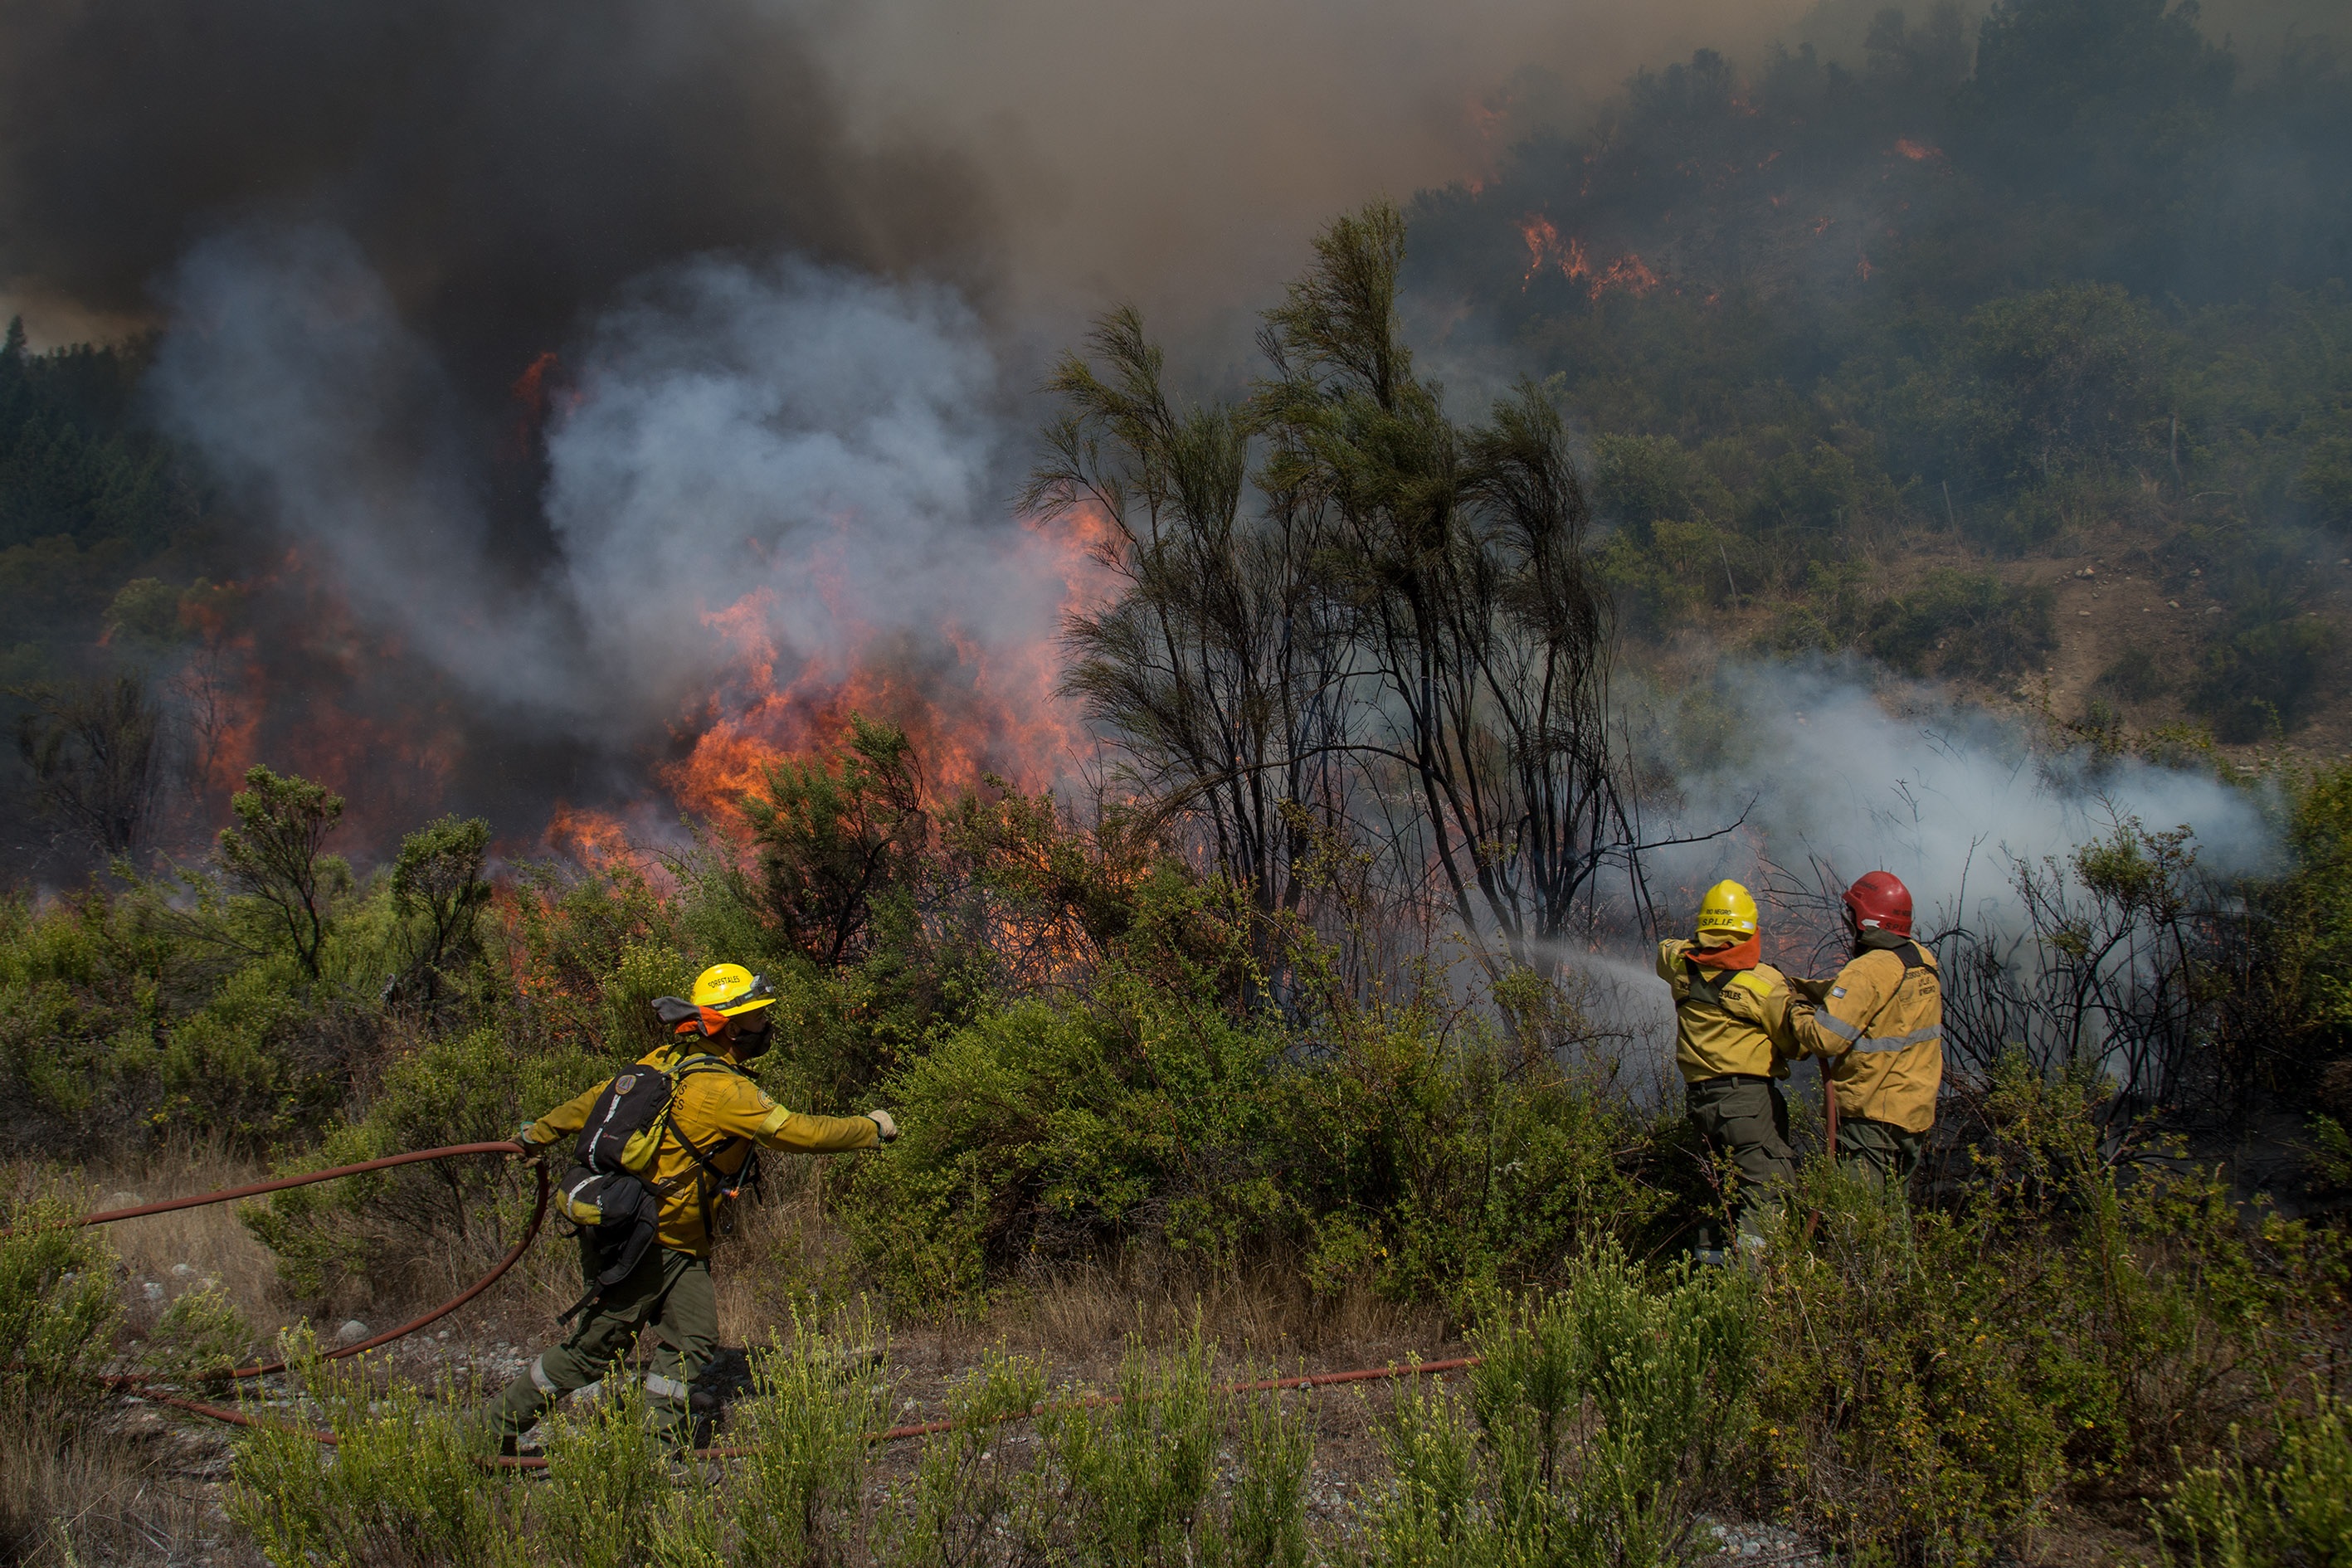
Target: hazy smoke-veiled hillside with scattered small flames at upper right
x=1859, y=349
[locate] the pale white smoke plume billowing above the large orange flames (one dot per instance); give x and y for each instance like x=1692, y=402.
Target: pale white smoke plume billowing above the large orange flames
x=820, y=453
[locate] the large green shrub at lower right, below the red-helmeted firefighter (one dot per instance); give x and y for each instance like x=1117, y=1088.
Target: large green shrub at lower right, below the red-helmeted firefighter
x=1942, y=1379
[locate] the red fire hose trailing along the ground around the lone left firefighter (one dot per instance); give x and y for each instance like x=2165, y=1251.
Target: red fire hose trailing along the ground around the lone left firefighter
x=514, y=1254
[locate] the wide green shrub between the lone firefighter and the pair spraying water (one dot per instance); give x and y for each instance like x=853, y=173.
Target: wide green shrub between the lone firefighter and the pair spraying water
x=1405, y=1146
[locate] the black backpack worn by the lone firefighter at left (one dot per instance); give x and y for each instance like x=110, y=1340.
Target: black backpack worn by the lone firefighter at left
x=610, y=1186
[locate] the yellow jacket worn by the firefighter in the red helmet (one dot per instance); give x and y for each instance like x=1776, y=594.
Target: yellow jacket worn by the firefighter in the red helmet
x=1880, y=1028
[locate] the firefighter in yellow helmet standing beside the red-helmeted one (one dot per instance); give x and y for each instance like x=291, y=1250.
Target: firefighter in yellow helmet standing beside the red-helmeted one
x=1732, y=1043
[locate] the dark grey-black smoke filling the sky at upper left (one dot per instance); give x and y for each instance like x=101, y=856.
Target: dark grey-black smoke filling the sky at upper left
x=500, y=166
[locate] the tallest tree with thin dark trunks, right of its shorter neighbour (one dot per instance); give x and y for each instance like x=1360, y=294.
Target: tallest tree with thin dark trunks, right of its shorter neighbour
x=1483, y=648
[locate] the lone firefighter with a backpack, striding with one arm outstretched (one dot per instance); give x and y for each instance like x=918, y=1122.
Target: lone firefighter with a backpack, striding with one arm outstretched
x=728, y=1118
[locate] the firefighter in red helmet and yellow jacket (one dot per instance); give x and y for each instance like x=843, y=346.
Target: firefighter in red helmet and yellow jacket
x=1878, y=1028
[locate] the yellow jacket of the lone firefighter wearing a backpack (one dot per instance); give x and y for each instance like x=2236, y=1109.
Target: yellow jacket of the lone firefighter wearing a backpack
x=726, y=1115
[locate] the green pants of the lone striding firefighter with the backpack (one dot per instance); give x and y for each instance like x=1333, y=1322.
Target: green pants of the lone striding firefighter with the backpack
x=674, y=1294
